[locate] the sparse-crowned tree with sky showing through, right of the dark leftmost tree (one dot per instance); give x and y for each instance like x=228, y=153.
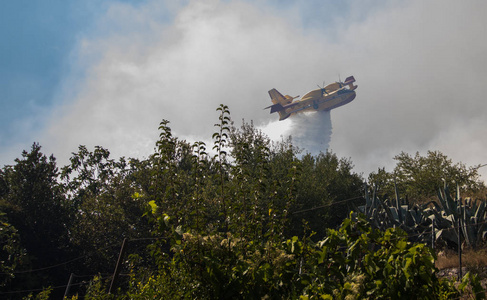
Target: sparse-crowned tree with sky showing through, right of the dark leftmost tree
x=107, y=205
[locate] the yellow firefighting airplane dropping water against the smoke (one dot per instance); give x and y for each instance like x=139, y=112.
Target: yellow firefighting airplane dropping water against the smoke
x=331, y=96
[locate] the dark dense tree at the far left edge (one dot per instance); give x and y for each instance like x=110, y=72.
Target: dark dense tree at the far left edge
x=34, y=202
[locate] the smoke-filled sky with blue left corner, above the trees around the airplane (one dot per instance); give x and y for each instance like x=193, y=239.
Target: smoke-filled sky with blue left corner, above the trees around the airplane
x=107, y=72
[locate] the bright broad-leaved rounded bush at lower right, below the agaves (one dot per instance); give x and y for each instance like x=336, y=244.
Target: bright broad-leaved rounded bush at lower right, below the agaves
x=363, y=262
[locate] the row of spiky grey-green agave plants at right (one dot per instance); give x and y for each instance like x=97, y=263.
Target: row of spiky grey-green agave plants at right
x=447, y=218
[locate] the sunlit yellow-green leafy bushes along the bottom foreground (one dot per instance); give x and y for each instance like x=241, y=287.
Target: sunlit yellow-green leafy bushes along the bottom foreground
x=353, y=262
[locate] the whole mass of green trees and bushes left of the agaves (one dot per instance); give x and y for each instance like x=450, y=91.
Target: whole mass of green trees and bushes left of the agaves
x=243, y=218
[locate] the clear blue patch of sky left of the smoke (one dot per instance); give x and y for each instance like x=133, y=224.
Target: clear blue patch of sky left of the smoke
x=38, y=37
